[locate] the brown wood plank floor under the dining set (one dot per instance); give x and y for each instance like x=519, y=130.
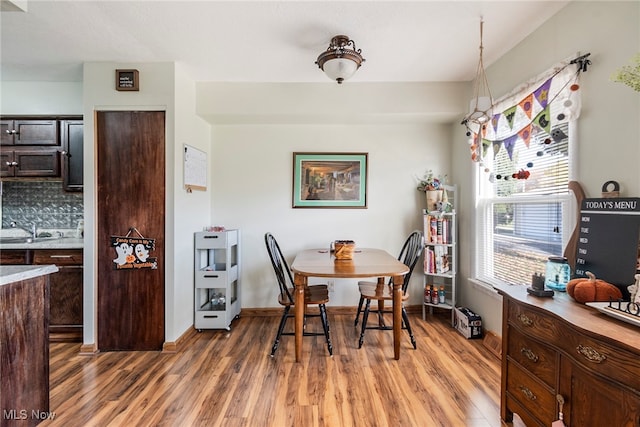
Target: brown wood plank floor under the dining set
x=226, y=378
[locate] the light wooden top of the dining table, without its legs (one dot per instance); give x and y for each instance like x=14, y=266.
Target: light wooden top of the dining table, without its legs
x=365, y=263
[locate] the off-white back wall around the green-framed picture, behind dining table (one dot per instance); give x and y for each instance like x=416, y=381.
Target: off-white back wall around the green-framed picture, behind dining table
x=252, y=185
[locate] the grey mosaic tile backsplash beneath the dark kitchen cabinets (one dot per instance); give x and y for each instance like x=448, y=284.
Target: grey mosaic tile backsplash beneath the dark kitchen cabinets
x=43, y=203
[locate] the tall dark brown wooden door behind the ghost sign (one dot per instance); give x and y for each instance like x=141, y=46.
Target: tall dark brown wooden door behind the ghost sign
x=131, y=194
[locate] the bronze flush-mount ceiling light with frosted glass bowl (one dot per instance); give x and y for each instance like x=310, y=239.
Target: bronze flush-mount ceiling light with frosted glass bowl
x=341, y=59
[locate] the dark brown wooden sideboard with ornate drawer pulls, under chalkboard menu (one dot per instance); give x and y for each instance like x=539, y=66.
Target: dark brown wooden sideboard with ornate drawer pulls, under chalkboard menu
x=556, y=346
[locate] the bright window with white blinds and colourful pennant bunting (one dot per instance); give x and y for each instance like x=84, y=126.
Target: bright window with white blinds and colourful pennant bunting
x=525, y=212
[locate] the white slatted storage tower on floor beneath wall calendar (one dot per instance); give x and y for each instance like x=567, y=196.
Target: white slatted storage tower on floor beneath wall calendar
x=217, y=279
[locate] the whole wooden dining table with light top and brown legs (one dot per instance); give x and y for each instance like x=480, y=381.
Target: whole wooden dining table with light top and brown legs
x=364, y=263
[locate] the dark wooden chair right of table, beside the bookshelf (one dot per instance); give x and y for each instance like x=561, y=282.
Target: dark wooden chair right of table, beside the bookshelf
x=381, y=292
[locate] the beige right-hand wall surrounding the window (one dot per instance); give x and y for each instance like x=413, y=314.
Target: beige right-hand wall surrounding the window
x=608, y=129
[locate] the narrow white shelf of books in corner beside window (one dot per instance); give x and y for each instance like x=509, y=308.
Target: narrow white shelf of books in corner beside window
x=440, y=254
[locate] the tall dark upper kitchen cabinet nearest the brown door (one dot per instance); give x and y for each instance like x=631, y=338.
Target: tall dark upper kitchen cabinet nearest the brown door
x=72, y=139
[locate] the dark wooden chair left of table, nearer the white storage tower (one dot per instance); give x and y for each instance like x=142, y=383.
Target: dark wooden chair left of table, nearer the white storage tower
x=313, y=295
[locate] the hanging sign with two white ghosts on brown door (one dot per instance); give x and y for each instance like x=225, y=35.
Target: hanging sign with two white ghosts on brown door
x=133, y=252
